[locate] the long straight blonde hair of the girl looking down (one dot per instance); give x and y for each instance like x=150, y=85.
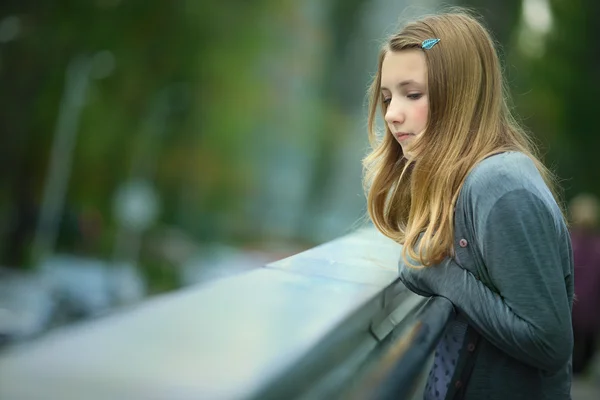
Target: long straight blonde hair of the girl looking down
x=469, y=120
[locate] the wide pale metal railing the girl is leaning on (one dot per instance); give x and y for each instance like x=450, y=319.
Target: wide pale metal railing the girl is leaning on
x=330, y=323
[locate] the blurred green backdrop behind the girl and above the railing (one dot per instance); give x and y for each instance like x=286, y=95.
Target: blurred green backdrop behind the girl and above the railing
x=150, y=145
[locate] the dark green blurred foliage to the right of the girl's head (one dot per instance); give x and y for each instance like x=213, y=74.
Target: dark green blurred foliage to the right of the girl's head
x=565, y=88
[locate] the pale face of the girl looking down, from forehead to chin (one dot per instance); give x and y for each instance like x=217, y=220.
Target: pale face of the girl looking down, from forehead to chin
x=404, y=91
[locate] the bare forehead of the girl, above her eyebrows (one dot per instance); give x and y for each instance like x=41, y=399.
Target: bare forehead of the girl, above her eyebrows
x=400, y=66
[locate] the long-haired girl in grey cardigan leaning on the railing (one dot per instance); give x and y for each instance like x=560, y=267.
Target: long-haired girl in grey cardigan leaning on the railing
x=457, y=182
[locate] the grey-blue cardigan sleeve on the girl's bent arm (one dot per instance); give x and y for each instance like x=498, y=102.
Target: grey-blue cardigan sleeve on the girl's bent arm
x=529, y=316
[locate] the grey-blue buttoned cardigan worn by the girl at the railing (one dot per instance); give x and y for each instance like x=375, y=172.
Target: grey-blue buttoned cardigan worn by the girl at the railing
x=511, y=283
